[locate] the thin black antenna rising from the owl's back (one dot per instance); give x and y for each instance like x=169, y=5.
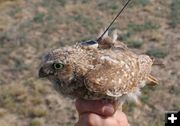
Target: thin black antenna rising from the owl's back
x=99, y=39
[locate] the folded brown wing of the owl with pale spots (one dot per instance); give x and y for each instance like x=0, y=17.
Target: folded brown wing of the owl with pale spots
x=113, y=75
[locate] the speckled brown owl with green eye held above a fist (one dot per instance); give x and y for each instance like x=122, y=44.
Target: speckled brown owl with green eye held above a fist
x=103, y=70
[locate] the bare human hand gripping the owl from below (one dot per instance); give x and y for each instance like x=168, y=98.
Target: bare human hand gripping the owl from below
x=97, y=113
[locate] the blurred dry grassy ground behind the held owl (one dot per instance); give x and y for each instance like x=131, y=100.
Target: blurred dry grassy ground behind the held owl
x=28, y=28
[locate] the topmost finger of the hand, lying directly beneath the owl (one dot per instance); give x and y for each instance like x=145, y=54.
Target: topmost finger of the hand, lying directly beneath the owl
x=94, y=106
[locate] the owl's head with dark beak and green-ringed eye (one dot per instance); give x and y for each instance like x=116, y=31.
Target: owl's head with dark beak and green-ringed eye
x=55, y=68
